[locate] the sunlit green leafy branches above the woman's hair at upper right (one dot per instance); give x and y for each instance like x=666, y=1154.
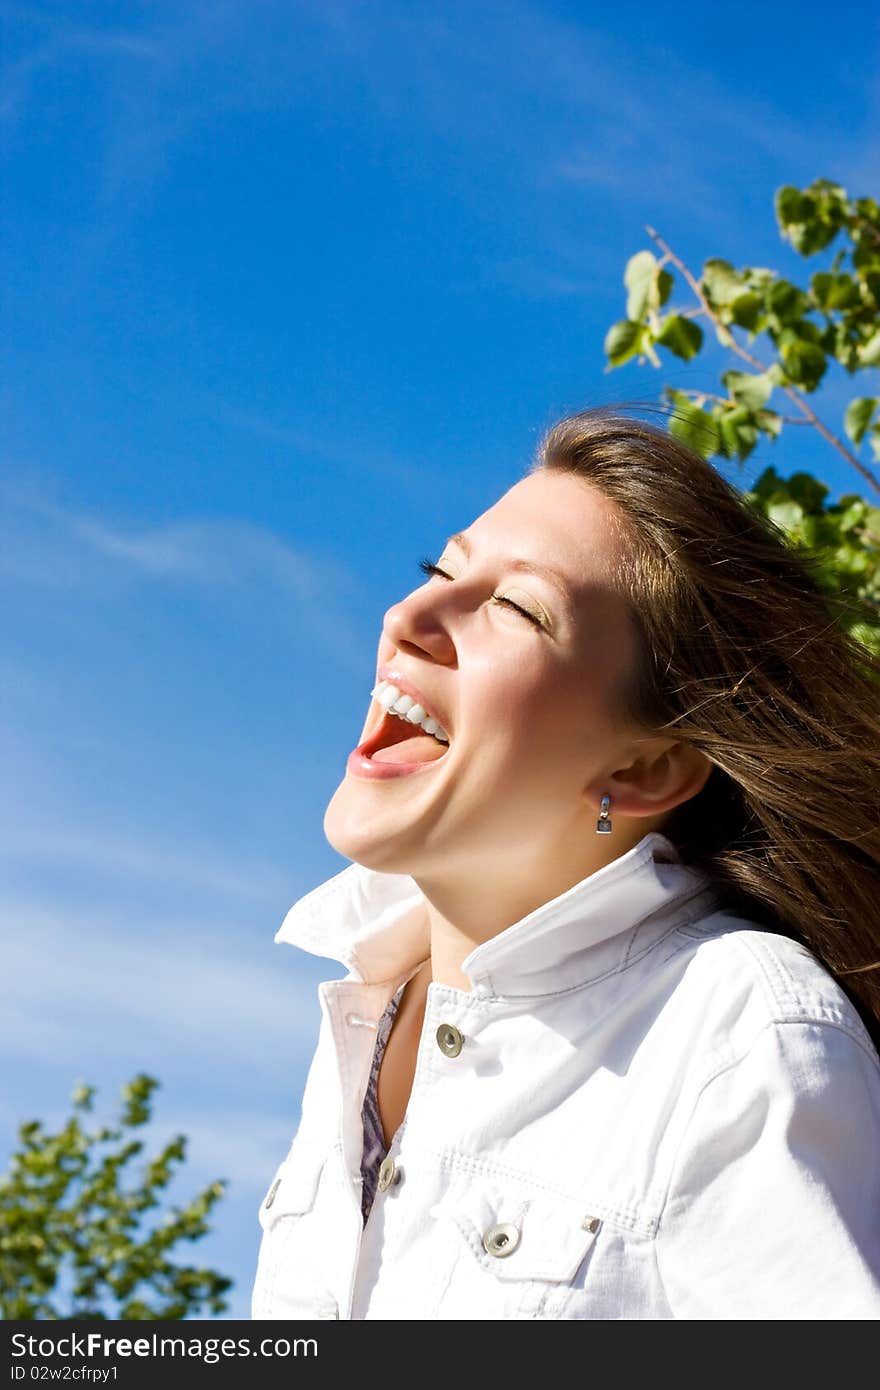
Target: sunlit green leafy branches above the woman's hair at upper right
x=781, y=341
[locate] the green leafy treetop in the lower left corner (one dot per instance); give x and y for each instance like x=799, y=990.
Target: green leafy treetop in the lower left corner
x=73, y=1241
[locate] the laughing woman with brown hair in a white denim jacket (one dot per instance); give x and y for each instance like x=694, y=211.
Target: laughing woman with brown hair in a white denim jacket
x=612, y=928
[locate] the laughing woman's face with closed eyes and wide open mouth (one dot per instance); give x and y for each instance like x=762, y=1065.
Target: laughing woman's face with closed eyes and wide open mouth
x=529, y=701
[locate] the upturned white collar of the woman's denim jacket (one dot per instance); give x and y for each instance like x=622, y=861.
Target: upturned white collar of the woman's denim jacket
x=375, y=924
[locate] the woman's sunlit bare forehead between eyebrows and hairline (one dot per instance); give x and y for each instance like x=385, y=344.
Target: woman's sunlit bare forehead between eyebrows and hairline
x=555, y=519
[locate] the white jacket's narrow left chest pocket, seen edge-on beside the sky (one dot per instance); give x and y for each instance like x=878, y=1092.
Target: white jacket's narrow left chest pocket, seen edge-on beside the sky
x=290, y=1279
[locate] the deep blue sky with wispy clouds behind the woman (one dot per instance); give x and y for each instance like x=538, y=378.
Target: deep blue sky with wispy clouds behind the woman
x=290, y=294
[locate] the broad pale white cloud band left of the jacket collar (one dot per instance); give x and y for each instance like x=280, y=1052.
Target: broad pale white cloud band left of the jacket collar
x=179, y=996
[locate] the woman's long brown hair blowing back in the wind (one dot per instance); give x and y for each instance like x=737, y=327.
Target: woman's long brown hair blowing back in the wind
x=744, y=657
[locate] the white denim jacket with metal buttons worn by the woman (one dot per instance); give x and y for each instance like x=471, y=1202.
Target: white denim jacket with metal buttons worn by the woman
x=657, y=1111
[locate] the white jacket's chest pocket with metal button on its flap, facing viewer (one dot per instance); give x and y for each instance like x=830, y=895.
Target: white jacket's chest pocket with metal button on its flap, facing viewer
x=522, y=1254
